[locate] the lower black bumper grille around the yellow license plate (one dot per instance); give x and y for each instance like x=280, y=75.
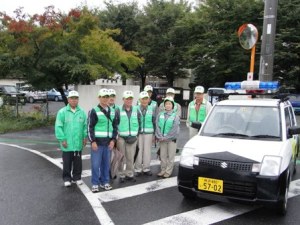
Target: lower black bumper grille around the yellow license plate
x=238, y=189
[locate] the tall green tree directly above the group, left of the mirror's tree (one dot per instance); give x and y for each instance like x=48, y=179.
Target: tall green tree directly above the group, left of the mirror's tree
x=160, y=42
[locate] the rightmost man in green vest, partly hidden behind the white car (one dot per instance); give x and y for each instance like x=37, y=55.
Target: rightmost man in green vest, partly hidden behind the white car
x=197, y=110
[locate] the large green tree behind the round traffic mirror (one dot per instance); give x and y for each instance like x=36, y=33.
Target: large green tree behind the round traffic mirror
x=215, y=53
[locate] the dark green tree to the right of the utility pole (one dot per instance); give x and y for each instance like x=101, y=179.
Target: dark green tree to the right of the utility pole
x=287, y=43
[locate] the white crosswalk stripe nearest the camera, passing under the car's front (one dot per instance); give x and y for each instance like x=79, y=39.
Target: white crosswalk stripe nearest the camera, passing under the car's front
x=217, y=212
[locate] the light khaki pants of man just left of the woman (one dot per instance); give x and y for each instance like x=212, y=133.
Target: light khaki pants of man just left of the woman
x=143, y=159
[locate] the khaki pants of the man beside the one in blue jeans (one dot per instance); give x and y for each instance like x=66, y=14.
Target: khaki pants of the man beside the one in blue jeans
x=128, y=150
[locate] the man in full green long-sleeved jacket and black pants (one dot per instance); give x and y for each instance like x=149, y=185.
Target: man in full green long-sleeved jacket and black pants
x=71, y=132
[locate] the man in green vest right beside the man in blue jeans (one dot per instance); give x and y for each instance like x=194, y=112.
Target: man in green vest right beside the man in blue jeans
x=129, y=124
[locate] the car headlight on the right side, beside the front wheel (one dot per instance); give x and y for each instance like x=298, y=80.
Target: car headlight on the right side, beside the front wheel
x=270, y=166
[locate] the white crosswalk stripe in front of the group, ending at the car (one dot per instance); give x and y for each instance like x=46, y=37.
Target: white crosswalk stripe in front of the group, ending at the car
x=135, y=190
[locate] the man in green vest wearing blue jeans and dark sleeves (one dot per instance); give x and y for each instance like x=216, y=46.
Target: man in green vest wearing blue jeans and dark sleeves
x=102, y=133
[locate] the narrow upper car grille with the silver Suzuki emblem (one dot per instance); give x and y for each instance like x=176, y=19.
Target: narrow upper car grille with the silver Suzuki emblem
x=236, y=166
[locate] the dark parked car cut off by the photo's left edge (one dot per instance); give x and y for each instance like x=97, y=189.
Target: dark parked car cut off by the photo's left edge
x=10, y=95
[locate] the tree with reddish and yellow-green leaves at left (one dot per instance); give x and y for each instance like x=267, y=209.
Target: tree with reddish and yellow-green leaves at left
x=58, y=52
